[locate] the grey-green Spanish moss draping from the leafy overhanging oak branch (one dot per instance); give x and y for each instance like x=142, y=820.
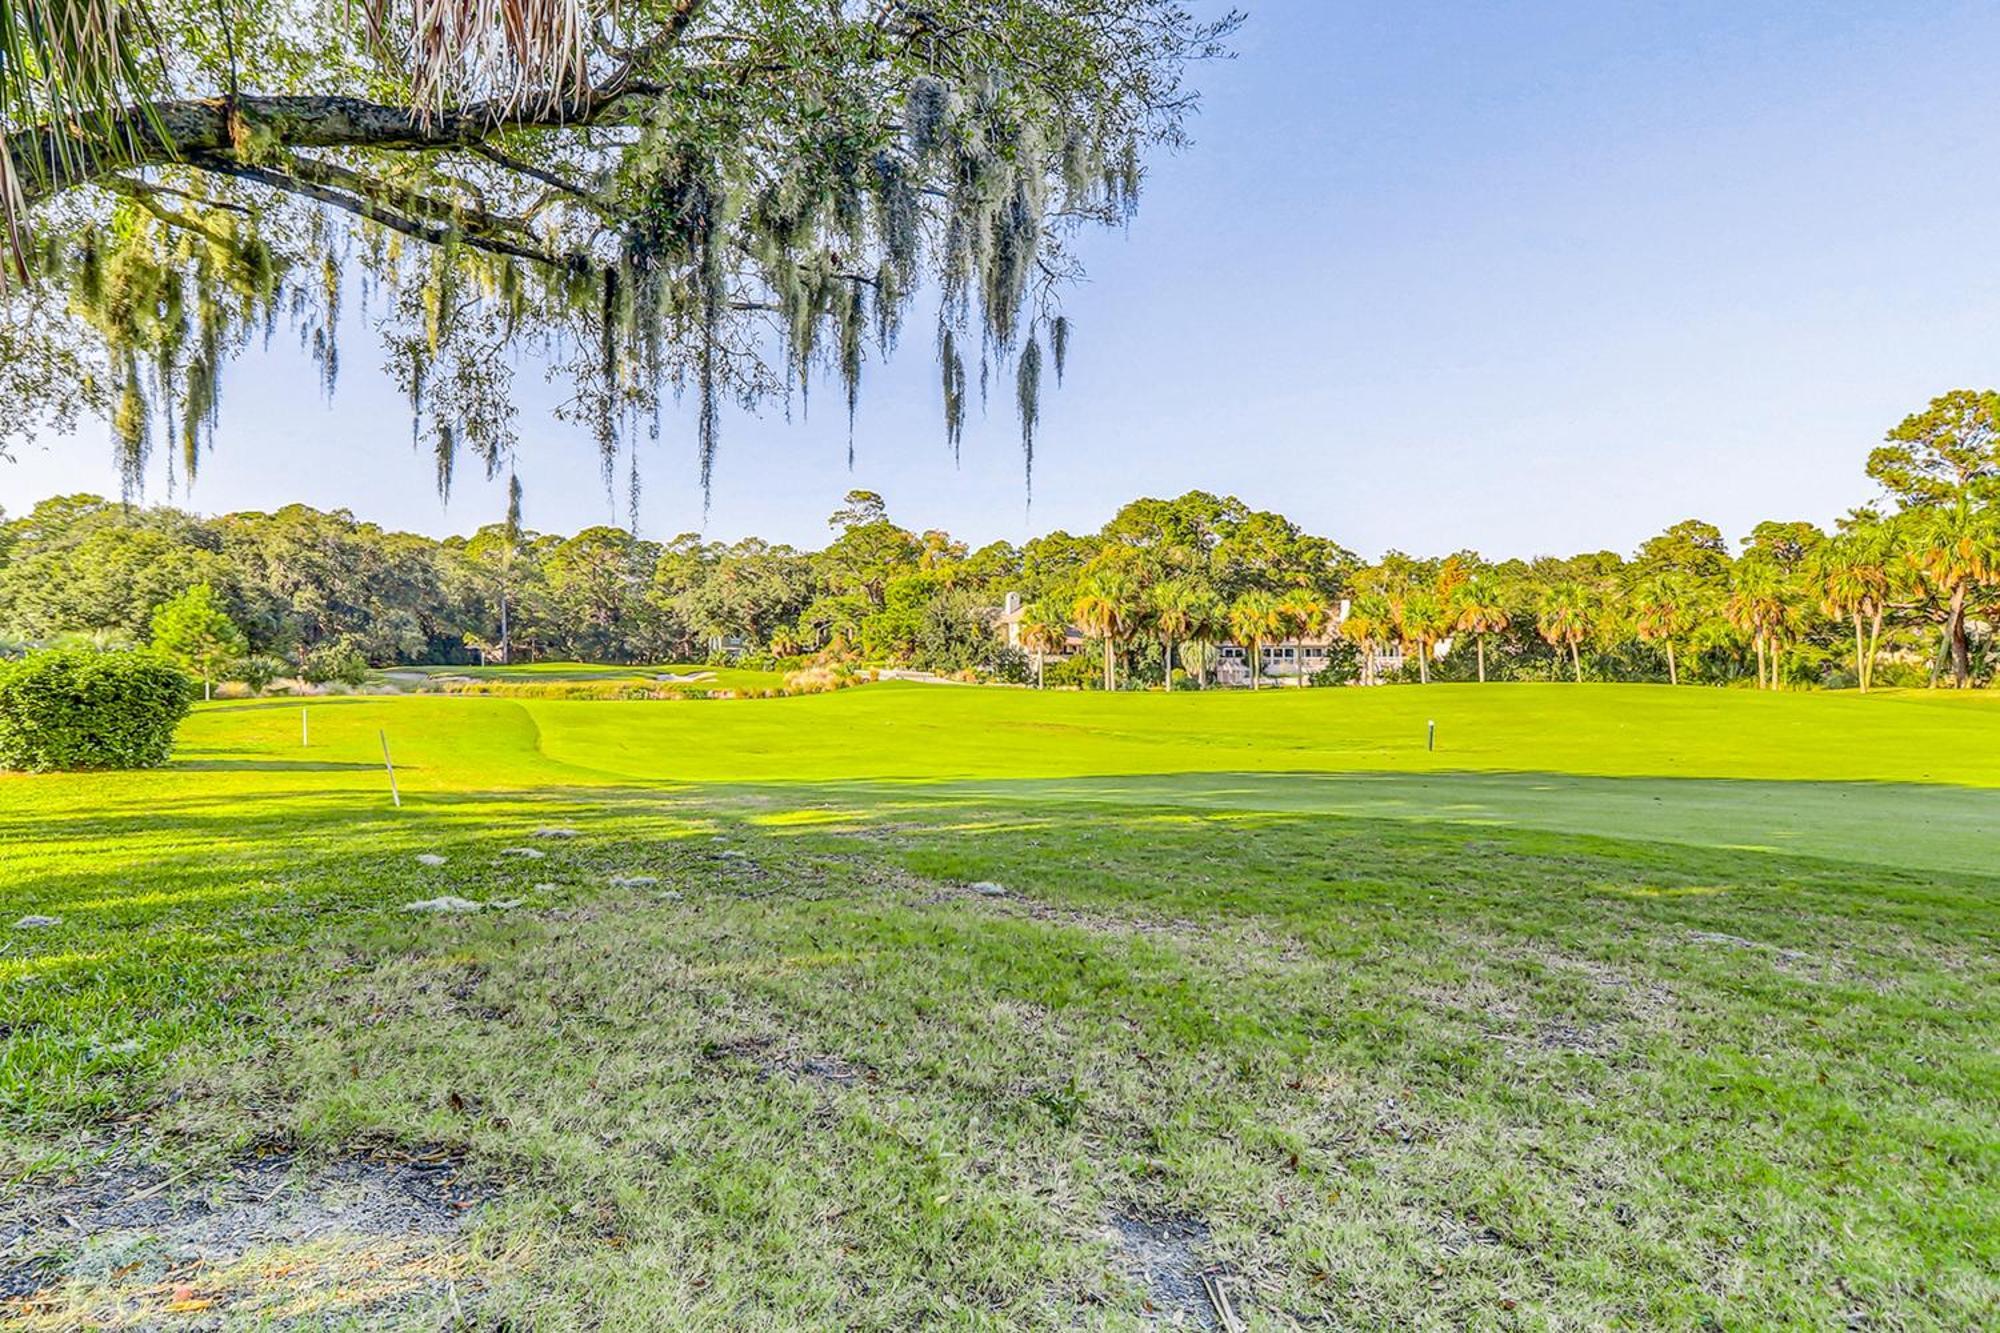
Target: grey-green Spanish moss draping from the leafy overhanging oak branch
x=725, y=233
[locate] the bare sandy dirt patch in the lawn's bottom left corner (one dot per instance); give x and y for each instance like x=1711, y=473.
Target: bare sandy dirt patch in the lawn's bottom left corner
x=267, y=1238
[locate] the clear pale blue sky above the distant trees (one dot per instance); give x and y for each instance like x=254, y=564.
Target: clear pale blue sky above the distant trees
x=1515, y=277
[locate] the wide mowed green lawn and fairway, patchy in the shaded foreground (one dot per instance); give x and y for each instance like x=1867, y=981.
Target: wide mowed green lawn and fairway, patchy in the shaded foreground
x=1621, y=1008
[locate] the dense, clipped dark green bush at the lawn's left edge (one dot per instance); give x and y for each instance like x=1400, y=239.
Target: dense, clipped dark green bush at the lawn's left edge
x=79, y=710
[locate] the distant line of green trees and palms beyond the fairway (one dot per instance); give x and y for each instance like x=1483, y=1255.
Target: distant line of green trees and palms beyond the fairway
x=1901, y=591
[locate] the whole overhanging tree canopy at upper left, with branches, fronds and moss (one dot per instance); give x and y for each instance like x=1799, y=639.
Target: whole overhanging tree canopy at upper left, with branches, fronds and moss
x=705, y=197
